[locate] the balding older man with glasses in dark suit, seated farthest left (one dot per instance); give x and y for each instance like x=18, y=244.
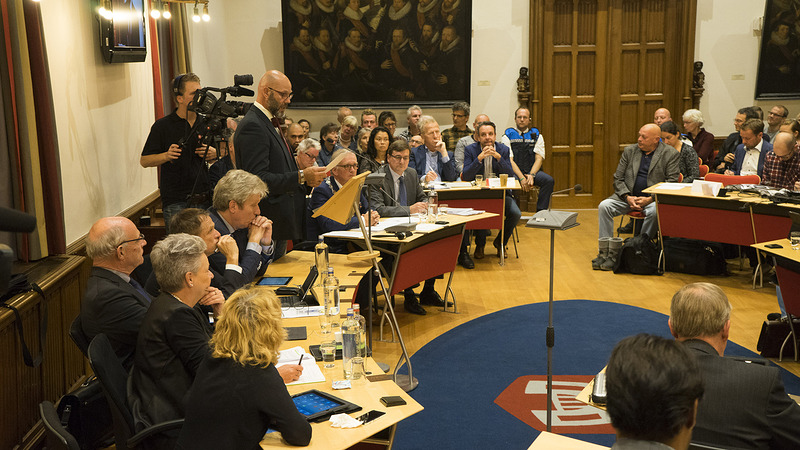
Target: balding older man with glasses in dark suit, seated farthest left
x=114, y=303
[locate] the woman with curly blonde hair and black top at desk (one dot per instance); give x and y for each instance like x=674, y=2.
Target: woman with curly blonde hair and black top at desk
x=238, y=393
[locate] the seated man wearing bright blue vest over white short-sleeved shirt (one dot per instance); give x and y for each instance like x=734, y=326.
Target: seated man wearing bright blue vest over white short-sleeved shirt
x=527, y=150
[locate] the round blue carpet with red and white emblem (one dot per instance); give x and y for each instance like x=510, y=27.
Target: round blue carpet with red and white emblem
x=462, y=373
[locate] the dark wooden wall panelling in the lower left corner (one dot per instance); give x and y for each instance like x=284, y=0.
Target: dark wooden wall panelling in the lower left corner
x=22, y=388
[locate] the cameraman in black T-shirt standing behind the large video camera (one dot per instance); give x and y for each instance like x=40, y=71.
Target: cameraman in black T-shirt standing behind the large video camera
x=183, y=170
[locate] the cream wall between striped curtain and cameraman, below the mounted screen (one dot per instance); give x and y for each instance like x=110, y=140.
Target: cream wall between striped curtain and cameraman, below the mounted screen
x=103, y=114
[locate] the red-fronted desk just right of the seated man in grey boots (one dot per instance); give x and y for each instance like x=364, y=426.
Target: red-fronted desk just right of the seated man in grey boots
x=736, y=219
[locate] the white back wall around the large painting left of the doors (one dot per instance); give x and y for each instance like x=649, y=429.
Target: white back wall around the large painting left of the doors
x=246, y=36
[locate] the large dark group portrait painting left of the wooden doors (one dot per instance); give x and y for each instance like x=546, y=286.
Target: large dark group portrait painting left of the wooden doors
x=361, y=52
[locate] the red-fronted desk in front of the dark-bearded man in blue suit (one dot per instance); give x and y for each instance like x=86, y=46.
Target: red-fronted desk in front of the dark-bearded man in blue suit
x=485, y=198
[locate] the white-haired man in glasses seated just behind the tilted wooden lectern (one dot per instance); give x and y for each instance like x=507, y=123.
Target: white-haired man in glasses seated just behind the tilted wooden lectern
x=340, y=175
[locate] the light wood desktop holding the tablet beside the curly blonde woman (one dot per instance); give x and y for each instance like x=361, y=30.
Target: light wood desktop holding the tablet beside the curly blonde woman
x=367, y=395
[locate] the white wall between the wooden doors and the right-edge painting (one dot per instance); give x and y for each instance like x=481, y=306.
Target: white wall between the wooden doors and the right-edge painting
x=728, y=47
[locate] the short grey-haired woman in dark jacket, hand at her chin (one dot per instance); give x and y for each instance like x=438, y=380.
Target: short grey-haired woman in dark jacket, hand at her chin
x=173, y=338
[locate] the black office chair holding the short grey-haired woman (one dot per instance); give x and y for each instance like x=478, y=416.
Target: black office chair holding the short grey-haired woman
x=114, y=379
